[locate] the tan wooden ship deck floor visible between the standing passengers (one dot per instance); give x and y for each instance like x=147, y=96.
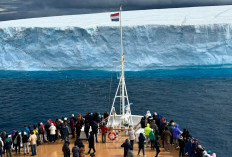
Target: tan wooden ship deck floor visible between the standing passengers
x=108, y=149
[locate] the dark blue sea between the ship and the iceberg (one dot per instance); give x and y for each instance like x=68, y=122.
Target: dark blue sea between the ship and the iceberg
x=198, y=99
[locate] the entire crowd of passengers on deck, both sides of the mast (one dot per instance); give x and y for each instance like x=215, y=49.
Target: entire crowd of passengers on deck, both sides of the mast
x=158, y=132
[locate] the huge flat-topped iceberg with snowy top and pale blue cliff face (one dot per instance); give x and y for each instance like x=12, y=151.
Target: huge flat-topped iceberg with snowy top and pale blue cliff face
x=152, y=40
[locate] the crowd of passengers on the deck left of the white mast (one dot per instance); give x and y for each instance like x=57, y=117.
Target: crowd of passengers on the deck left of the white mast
x=52, y=131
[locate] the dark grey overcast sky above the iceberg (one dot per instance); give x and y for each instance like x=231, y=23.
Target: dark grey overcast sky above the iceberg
x=18, y=9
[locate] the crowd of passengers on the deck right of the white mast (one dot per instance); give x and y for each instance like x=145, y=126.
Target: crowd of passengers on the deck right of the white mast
x=155, y=127
